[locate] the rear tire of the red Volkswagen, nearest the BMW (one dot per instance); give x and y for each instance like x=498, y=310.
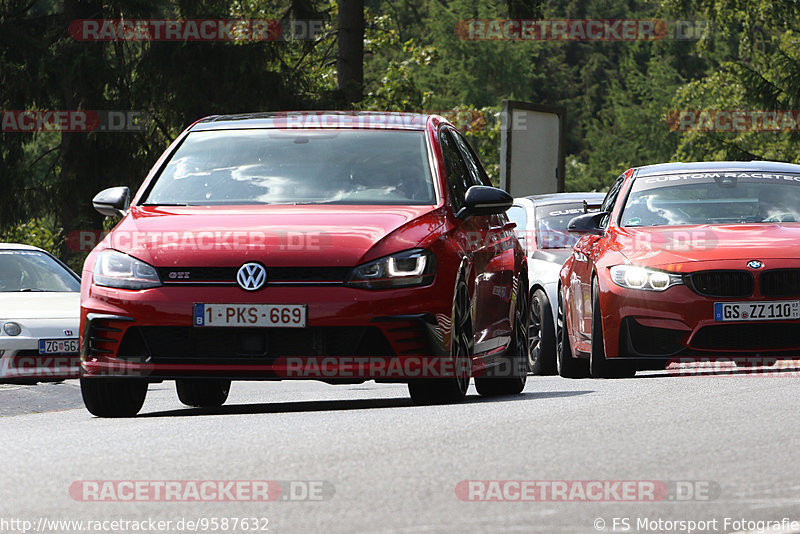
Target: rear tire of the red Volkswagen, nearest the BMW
x=514, y=370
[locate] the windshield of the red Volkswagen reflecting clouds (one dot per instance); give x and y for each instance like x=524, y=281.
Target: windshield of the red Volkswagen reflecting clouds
x=297, y=167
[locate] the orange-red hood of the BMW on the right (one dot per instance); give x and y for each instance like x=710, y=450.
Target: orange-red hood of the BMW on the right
x=676, y=245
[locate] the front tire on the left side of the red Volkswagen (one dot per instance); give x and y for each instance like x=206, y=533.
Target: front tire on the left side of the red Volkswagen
x=113, y=397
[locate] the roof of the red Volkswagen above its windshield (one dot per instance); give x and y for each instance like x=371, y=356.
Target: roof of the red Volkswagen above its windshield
x=317, y=119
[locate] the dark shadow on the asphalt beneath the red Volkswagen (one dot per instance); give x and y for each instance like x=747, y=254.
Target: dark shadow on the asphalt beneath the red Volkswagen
x=343, y=405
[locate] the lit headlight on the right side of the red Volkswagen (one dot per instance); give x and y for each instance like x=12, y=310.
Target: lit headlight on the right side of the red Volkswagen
x=415, y=267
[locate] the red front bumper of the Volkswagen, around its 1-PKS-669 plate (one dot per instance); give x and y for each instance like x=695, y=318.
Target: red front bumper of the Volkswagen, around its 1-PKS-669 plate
x=351, y=335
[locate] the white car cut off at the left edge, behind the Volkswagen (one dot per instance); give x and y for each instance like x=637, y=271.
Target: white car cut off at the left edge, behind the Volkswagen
x=39, y=316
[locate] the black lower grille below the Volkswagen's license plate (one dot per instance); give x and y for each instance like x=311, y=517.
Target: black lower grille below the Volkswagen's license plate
x=185, y=344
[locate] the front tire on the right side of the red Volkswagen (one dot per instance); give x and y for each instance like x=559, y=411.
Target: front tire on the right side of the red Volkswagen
x=451, y=390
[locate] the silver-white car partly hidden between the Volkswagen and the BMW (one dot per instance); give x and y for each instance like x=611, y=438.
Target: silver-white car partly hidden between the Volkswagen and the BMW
x=542, y=229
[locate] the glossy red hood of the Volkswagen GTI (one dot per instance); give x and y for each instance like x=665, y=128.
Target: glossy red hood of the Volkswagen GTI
x=281, y=235
